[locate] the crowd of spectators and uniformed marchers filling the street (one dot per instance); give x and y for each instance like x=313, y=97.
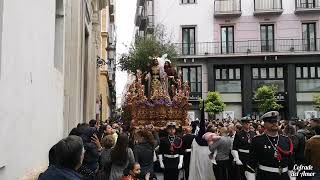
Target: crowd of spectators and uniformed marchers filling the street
x=206, y=150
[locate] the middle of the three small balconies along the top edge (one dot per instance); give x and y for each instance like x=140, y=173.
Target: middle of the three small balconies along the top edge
x=267, y=7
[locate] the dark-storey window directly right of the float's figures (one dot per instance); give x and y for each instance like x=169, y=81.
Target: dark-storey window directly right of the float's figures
x=193, y=74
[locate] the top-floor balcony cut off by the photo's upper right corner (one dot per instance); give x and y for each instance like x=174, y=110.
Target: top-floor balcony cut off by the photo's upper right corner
x=307, y=6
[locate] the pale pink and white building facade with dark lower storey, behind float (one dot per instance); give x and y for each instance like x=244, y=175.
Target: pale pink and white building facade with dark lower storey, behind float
x=236, y=46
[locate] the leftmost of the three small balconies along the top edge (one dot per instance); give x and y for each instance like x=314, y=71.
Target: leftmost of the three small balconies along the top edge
x=227, y=8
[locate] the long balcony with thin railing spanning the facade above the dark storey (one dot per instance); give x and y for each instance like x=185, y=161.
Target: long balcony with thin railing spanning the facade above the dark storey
x=250, y=47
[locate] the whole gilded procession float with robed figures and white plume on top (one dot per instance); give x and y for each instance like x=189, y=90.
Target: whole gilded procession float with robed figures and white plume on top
x=157, y=96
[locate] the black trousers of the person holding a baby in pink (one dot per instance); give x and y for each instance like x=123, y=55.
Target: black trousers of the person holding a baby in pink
x=222, y=170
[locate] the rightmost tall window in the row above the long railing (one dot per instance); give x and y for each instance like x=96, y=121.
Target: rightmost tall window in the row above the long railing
x=309, y=36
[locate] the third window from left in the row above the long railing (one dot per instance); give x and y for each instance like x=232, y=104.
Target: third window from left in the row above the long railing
x=267, y=38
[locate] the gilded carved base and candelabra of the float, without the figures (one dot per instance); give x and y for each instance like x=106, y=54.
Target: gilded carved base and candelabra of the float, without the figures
x=159, y=108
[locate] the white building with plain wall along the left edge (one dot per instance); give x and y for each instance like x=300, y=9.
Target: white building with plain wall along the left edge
x=47, y=77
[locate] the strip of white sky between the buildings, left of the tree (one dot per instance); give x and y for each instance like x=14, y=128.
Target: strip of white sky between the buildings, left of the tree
x=125, y=13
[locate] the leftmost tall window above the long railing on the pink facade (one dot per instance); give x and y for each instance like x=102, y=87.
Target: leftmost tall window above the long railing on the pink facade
x=188, y=40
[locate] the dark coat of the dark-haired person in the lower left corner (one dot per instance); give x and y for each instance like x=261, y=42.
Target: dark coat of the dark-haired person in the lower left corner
x=54, y=173
